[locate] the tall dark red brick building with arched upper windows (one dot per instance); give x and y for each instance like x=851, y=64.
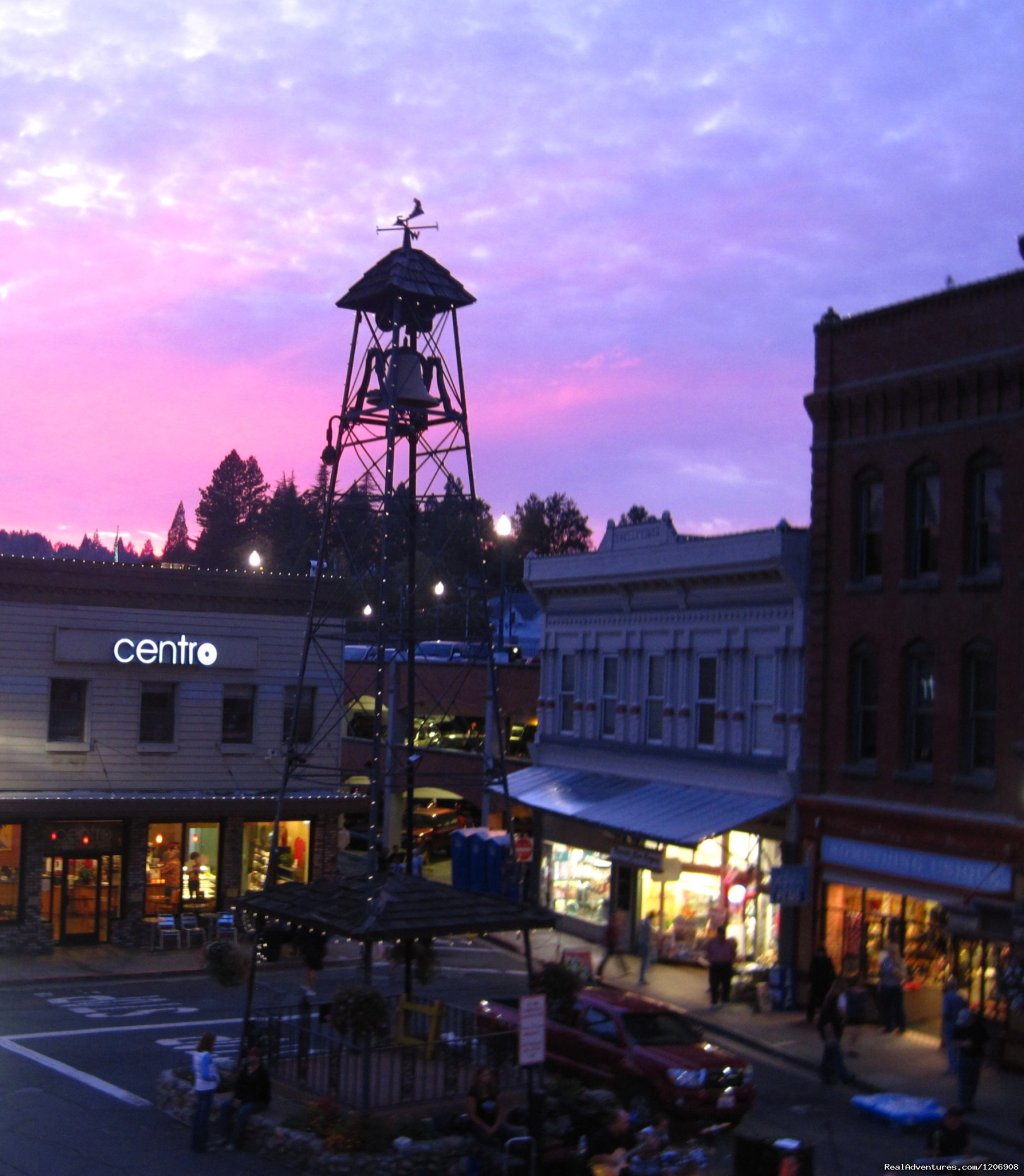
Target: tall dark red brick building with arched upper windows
x=913, y=804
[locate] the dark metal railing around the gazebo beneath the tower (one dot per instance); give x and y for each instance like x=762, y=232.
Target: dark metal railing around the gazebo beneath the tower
x=371, y=1073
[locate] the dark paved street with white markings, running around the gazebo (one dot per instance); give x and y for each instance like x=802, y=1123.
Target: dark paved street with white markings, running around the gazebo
x=81, y=1058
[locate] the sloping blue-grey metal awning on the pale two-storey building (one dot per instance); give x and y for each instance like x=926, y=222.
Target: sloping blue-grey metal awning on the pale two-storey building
x=665, y=811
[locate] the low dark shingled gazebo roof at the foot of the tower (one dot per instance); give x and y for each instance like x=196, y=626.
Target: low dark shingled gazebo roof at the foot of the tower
x=390, y=906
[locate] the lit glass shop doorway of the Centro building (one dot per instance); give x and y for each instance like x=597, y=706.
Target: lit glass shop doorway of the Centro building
x=81, y=897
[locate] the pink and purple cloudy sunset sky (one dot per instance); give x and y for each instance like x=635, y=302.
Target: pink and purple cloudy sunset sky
x=653, y=202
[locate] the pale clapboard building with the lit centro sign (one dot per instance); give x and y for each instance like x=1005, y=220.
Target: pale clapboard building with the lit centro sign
x=144, y=713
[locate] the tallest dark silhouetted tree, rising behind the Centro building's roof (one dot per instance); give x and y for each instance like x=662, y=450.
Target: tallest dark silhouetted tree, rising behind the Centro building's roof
x=230, y=511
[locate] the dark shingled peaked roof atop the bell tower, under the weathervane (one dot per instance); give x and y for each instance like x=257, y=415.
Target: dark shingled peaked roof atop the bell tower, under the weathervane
x=410, y=278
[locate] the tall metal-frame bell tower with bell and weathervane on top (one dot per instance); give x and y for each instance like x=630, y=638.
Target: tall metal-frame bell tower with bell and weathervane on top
x=399, y=495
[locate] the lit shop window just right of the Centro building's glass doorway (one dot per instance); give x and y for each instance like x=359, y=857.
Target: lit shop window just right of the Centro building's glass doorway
x=182, y=867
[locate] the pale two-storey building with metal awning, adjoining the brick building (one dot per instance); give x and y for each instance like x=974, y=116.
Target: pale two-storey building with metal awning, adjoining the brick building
x=670, y=730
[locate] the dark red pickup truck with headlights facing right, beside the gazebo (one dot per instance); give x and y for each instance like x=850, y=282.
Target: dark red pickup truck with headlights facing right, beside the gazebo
x=650, y=1053
